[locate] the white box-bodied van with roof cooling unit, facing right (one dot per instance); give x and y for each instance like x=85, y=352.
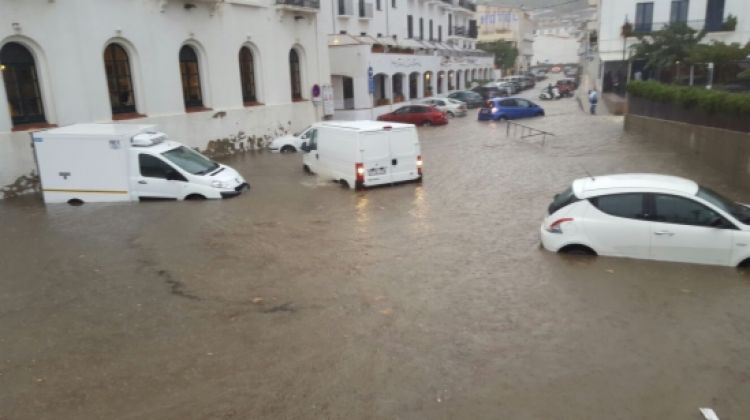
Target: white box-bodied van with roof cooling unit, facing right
x=125, y=162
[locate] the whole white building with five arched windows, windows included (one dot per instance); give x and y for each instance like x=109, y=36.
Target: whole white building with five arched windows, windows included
x=200, y=69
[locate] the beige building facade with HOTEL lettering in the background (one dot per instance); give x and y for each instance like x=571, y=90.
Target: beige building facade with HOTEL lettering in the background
x=509, y=24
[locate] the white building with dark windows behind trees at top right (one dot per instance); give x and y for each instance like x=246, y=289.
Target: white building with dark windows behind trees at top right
x=649, y=16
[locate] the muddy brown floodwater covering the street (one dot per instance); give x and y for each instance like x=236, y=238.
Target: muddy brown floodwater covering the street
x=301, y=299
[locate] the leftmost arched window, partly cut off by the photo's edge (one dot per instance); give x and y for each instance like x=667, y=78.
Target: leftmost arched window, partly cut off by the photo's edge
x=21, y=84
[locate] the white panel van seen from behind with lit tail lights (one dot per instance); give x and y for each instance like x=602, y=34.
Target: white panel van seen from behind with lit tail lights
x=363, y=153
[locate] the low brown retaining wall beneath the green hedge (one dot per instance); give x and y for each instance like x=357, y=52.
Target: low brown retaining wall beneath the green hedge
x=726, y=150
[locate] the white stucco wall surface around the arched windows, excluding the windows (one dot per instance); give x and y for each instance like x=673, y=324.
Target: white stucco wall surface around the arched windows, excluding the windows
x=68, y=38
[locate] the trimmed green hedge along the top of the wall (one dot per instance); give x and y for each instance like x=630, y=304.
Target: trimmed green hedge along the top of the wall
x=710, y=101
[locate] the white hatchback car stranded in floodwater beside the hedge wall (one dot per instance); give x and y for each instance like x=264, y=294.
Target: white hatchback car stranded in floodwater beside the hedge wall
x=648, y=216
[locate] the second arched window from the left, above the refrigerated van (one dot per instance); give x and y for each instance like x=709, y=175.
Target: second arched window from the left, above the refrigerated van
x=120, y=83
